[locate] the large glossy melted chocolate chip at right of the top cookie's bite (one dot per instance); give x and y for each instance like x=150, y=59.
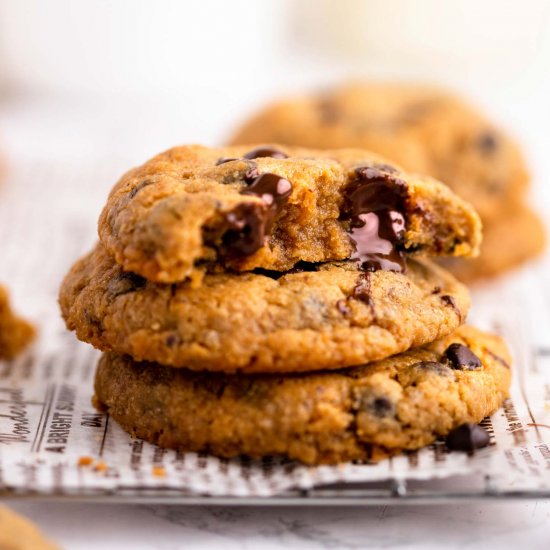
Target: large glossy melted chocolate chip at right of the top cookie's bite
x=375, y=204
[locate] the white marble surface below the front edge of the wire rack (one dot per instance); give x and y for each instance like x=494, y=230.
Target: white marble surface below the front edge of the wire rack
x=86, y=526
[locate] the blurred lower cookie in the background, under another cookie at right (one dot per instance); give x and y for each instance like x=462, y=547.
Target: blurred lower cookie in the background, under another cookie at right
x=509, y=241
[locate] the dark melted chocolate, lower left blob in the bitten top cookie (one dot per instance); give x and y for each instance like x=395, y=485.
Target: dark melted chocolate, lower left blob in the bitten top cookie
x=245, y=230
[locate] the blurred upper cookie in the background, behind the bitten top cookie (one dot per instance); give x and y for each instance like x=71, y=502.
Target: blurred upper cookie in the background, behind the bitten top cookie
x=425, y=129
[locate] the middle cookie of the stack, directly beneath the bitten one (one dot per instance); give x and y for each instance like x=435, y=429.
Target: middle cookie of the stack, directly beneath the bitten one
x=315, y=317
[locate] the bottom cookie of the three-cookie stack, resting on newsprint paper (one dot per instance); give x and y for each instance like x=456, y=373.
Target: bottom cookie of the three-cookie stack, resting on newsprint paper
x=363, y=413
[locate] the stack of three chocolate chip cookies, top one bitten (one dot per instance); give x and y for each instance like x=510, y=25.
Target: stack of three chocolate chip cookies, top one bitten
x=261, y=300
